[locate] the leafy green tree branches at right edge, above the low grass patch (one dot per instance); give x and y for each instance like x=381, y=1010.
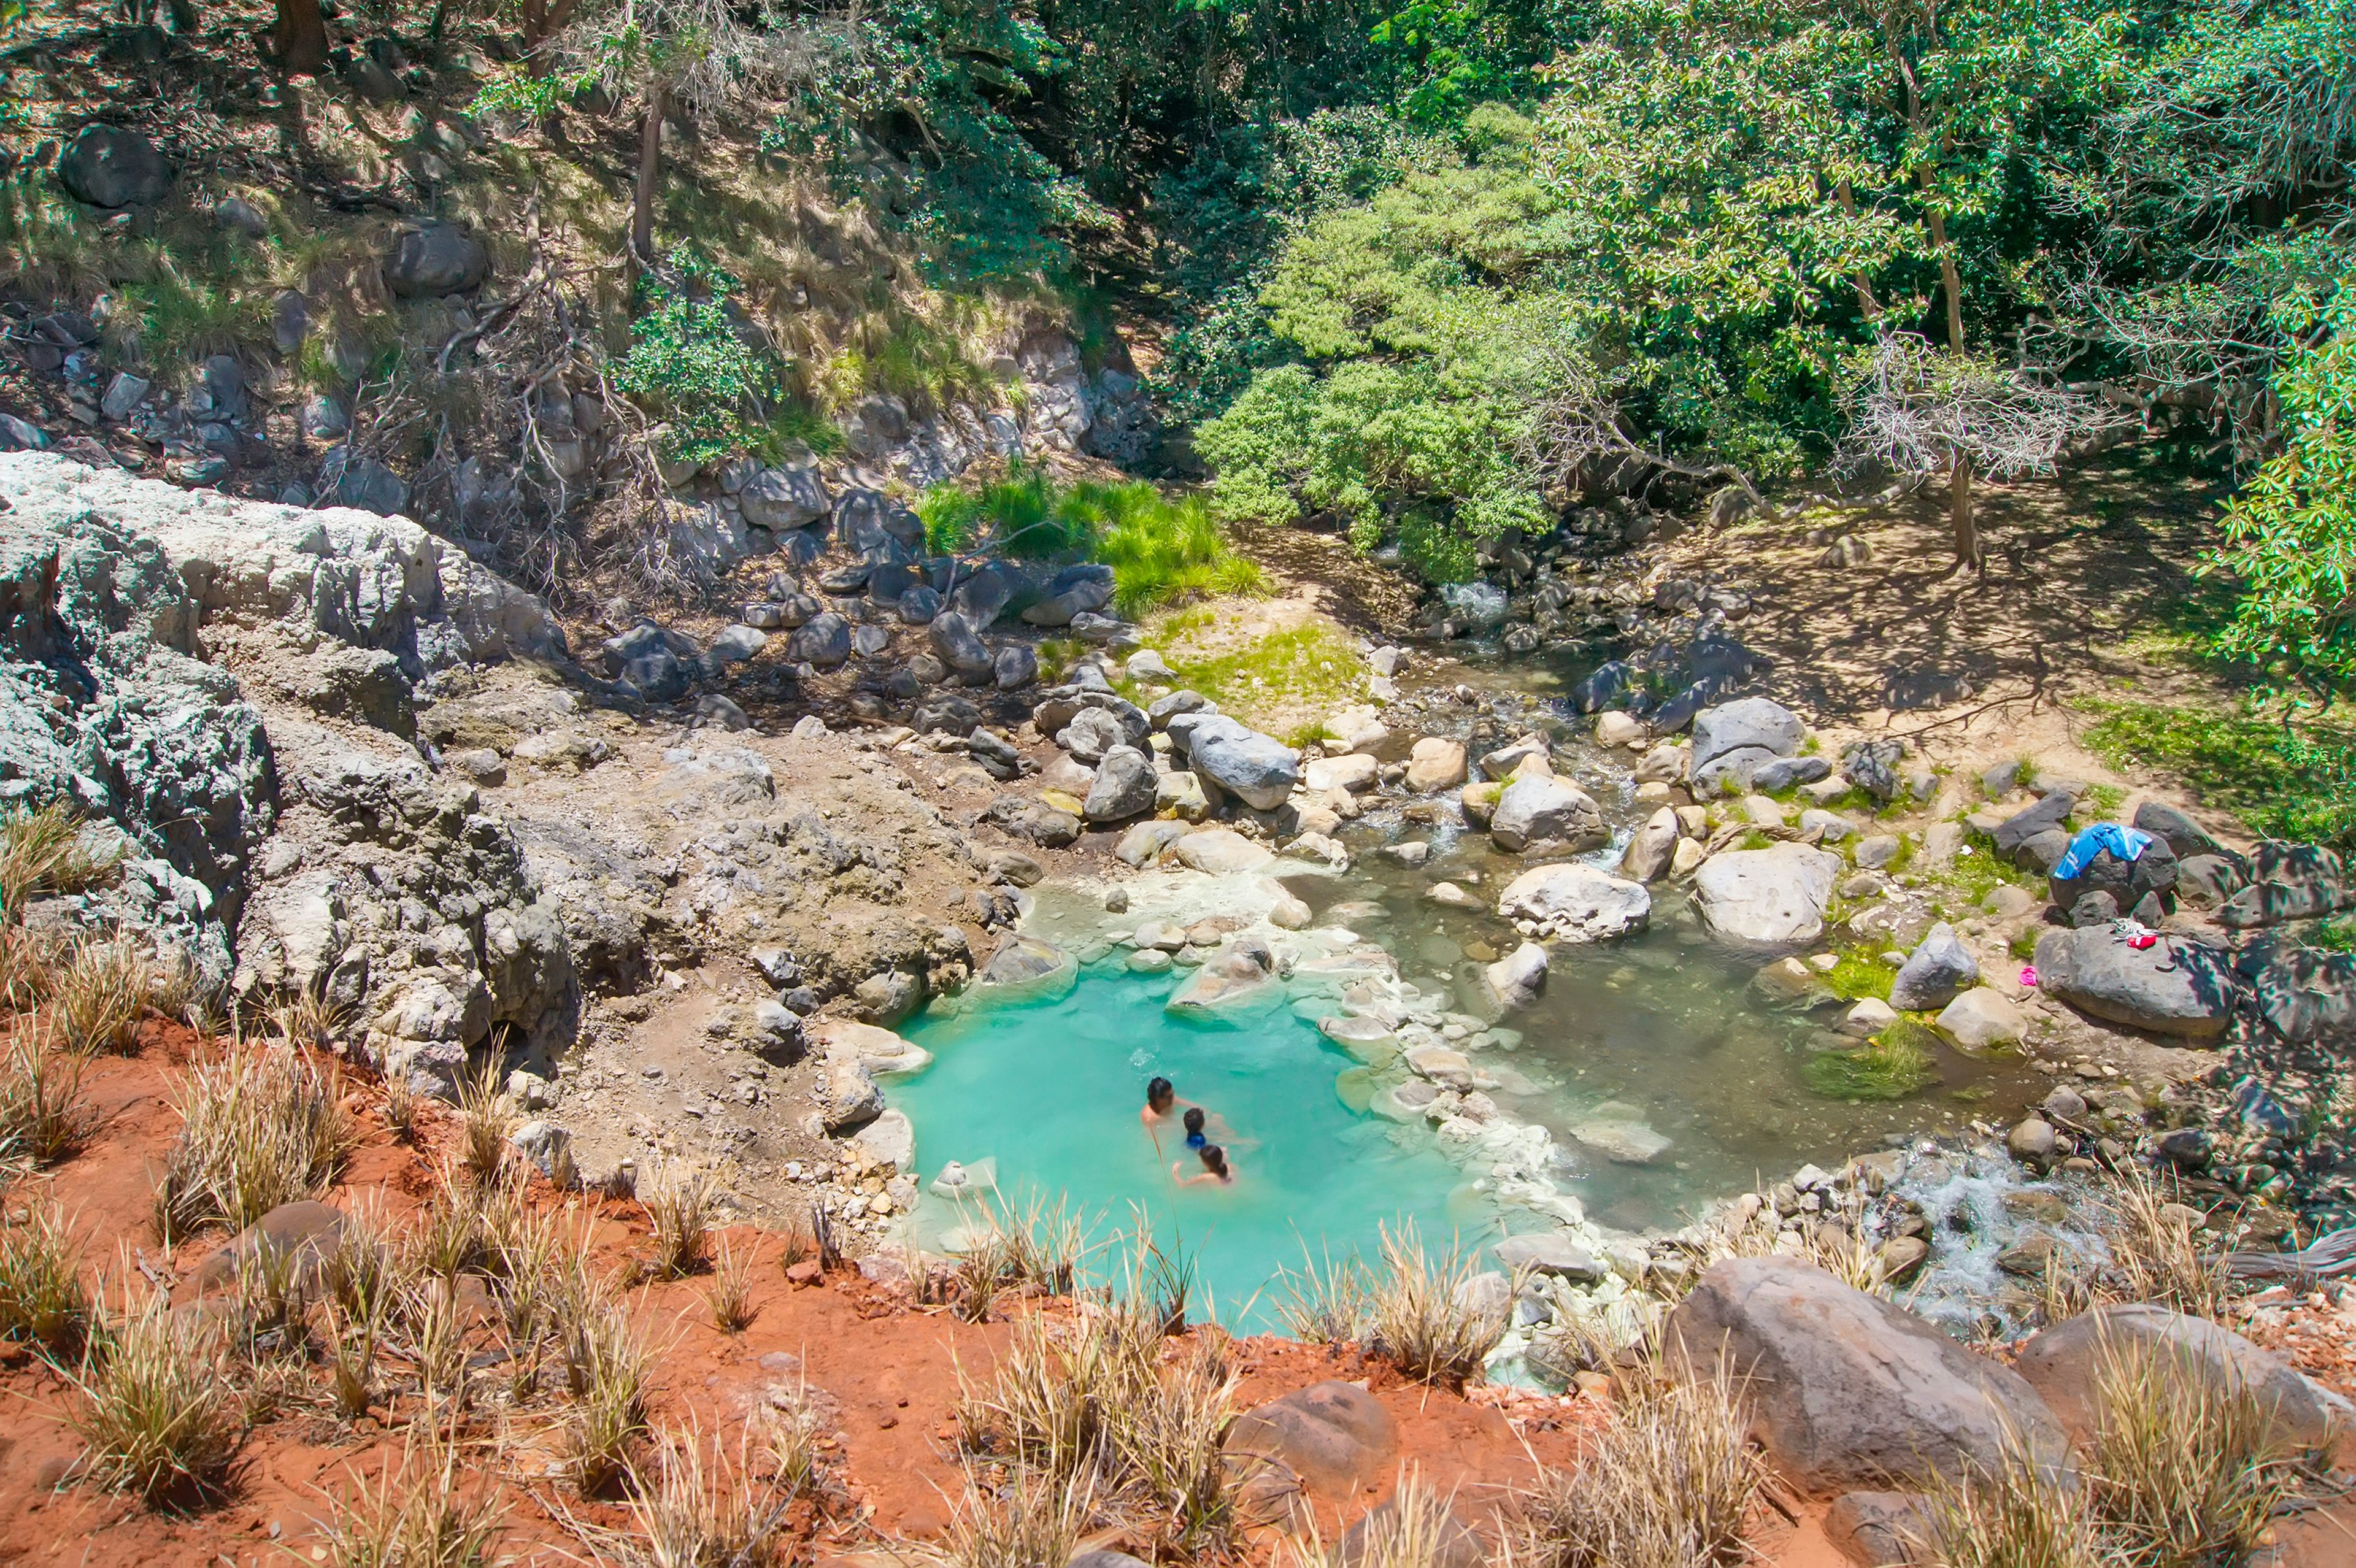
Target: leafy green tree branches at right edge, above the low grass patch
x=2291, y=533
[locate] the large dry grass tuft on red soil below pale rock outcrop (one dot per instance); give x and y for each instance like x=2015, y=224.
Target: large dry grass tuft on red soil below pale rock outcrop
x=260, y=1129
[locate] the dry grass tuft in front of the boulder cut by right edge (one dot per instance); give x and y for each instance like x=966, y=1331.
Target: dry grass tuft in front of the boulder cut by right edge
x=2185, y=1466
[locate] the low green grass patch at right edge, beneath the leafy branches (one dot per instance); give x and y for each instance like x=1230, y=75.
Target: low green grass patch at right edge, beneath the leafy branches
x=2284, y=783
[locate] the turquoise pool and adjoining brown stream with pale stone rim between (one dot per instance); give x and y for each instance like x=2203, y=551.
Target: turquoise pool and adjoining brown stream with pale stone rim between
x=1648, y=1079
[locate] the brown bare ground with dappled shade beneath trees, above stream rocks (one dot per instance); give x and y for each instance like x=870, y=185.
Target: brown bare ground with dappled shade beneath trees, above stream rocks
x=2077, y=571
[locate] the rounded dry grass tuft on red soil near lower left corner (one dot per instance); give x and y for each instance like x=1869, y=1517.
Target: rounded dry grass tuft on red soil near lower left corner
x=157, y=1411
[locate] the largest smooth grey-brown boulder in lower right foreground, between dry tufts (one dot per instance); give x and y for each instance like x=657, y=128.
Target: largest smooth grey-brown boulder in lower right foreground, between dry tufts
x=1851, y=1393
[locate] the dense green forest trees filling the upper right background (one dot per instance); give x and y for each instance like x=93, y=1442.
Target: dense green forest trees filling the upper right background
x=1436, y=272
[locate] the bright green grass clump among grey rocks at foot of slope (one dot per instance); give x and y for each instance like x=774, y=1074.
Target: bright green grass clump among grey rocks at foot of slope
x=1160, y=552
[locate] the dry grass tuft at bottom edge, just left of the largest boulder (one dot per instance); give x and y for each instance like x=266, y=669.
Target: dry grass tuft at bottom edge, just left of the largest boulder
x=1667, y=1487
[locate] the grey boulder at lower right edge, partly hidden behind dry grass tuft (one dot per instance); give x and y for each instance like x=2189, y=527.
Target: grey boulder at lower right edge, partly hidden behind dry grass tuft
x=2067, y=1364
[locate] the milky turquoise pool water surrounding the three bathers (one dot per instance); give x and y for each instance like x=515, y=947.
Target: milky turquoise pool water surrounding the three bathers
x=1052, y=1094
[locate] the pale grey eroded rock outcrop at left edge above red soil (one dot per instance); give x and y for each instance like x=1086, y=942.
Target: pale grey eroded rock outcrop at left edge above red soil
x=114, y=592
